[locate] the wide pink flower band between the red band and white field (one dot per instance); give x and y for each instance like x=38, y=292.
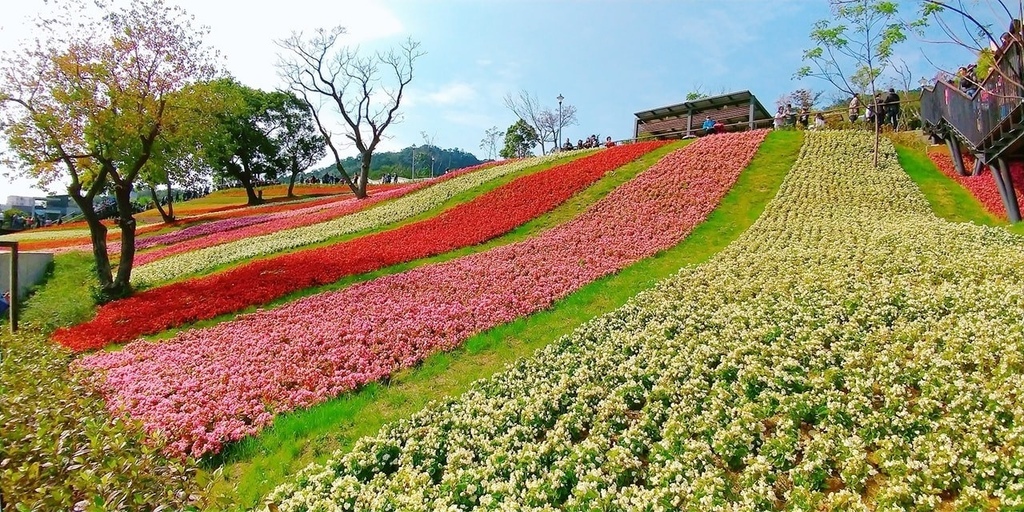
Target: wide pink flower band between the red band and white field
x=210, y=387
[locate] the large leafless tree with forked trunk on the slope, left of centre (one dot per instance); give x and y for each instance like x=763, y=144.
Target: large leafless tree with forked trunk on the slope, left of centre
x=367, y=91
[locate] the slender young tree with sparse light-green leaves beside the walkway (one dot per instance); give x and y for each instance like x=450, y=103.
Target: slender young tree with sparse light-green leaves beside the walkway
x=854, y=48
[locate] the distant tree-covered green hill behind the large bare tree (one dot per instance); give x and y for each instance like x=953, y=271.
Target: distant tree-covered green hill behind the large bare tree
x=430, y=160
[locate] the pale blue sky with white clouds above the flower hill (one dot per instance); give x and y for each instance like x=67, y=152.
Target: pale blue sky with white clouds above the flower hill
x=609, y=59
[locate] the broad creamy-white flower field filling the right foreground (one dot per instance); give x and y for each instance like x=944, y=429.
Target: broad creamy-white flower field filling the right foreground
x=850, y=352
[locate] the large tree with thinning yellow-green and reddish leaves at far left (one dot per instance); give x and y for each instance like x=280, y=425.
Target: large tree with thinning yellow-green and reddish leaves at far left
x=88, y=103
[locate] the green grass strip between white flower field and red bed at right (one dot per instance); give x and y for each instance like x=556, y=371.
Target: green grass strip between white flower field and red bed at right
x=949, y=199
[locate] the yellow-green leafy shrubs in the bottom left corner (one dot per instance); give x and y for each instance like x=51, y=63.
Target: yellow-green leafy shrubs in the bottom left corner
x=60, y=449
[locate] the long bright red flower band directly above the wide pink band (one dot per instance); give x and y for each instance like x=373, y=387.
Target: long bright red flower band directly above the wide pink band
x=259, y=283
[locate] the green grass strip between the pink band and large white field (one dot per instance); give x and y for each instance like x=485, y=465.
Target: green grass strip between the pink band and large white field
x=253, y=467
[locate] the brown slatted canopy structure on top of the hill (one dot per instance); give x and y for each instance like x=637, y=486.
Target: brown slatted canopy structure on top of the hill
x=736, y=110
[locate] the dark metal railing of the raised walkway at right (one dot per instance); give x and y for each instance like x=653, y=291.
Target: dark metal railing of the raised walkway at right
x=975, y=114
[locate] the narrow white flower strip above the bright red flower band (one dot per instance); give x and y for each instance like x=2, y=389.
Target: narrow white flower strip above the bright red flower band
x=386, y=214
